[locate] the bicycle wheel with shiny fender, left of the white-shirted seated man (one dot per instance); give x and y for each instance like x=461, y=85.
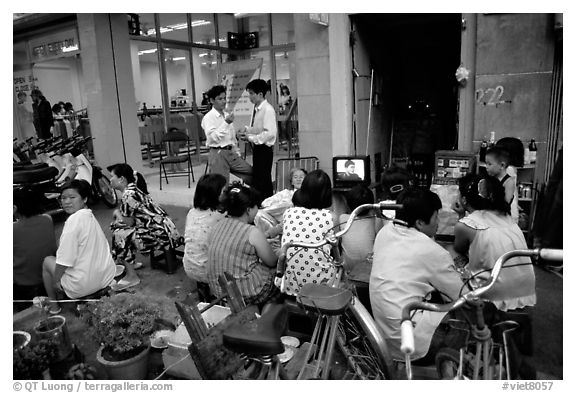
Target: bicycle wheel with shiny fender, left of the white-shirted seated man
x=362, y=344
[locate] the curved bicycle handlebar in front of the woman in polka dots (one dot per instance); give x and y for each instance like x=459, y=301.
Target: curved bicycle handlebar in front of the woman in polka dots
x=332, y=239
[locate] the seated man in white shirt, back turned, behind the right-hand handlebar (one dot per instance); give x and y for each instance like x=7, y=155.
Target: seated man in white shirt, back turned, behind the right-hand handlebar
x=409, y=266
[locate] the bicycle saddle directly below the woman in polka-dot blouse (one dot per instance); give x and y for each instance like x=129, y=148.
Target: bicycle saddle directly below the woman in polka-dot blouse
x=327, y=300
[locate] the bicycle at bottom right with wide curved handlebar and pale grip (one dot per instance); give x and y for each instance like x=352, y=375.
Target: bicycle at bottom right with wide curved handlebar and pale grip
x=482, y=354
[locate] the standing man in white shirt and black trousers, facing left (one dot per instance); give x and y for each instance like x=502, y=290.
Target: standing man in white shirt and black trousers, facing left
x=263, y=135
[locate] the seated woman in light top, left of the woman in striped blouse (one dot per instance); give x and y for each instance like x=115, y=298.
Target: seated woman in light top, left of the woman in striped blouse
x=199, y=221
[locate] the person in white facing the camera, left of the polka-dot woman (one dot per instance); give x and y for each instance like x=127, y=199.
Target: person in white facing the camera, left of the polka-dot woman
x=269, y=218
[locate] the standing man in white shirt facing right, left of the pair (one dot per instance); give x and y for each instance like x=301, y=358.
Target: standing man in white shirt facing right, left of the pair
x=224, y=156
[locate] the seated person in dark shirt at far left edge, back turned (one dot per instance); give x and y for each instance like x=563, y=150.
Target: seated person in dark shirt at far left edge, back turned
x=33, y=240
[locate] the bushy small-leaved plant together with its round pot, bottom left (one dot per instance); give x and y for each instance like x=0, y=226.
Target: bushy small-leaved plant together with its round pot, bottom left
x=122, y=324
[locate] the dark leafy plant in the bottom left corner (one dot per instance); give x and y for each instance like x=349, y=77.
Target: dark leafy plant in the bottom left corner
x=31, y=361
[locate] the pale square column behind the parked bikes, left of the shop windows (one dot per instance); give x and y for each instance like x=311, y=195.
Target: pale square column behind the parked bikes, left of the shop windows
x=109, y=87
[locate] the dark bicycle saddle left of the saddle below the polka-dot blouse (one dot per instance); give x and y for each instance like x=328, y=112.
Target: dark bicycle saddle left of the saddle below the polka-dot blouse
x=258, y=337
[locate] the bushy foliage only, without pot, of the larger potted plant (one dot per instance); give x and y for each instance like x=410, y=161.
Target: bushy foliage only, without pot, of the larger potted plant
x=122, y=323
